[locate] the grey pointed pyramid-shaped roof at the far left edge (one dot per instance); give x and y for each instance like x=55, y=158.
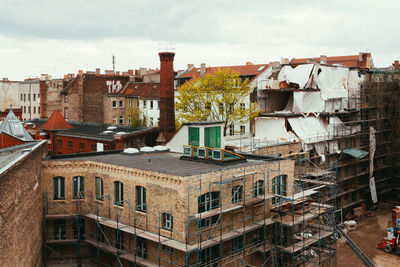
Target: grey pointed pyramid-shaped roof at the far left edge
x=13, y=127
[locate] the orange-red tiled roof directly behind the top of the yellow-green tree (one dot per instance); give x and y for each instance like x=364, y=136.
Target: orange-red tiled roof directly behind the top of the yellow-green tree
x=243, y=70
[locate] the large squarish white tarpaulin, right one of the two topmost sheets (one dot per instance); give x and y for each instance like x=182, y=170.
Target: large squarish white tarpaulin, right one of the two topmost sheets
x=332, y=81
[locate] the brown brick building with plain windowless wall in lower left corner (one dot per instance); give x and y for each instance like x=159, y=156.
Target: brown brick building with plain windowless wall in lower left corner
x=21, y=212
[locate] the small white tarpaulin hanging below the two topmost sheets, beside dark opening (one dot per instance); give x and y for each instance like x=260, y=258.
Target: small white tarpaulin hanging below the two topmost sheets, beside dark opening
x=308, y=102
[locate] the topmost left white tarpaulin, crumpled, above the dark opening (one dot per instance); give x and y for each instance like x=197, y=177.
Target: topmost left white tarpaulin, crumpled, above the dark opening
x=299, y=75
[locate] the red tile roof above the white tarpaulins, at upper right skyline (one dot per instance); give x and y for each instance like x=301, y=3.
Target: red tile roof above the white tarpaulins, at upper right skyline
x=353, y=61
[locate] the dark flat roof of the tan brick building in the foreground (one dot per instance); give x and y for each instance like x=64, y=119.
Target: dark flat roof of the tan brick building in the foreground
x=162, y=162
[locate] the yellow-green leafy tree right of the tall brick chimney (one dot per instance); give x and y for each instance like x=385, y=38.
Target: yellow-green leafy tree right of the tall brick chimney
x=218, y=97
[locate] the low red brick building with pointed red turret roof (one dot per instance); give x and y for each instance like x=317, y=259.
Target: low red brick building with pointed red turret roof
x=80, y=137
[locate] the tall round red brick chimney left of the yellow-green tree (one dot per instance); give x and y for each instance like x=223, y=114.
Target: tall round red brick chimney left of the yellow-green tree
x=167, y=105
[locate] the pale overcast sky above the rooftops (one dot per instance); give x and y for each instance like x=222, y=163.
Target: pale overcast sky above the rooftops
x=59, y=37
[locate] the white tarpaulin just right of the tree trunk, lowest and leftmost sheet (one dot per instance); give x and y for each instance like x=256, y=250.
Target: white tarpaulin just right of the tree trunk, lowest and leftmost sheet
x=272, y=129
